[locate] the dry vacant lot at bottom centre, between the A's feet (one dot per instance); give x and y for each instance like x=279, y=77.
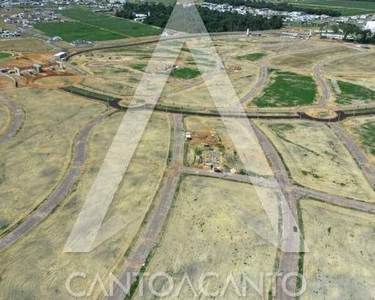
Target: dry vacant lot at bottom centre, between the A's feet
x=210, y=230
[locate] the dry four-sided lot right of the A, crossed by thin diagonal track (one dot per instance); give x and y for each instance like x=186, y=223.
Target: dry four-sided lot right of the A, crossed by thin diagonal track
x=317, y=159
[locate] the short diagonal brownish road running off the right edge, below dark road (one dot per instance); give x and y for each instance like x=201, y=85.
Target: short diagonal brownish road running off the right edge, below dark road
x=358, y=154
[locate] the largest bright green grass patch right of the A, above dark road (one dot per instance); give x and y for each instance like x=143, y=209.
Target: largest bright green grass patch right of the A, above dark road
x=287, y=89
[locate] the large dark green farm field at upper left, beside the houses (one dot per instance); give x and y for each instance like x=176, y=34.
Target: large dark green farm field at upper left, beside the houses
x=91, y=26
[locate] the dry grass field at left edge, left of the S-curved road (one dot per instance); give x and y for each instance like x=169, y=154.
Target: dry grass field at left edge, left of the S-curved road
x=34, y=161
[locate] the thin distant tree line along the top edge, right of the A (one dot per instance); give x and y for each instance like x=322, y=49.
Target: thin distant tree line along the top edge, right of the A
x=281, y=6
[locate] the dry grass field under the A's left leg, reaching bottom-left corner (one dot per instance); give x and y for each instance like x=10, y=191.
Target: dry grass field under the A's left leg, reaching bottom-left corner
x=36, y=268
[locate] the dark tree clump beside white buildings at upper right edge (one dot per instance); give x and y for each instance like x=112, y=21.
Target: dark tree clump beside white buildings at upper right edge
x=363, y=36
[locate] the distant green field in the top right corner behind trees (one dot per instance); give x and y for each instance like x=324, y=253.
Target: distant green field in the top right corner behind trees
x=347, y=8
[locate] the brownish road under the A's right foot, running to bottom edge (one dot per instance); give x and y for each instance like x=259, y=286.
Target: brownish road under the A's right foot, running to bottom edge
x=290, y=239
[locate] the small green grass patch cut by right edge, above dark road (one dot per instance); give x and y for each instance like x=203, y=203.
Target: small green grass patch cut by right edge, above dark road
x=350, y=92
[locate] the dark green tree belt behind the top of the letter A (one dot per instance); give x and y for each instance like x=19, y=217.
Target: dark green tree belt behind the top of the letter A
x=184, y=18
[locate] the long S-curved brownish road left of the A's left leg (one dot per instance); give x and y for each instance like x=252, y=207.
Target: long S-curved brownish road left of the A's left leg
x=37, y=216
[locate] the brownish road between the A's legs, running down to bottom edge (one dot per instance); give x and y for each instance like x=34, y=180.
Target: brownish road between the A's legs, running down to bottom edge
x=151, y=232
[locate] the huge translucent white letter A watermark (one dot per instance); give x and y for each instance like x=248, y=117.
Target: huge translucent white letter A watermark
x=184, y=24
